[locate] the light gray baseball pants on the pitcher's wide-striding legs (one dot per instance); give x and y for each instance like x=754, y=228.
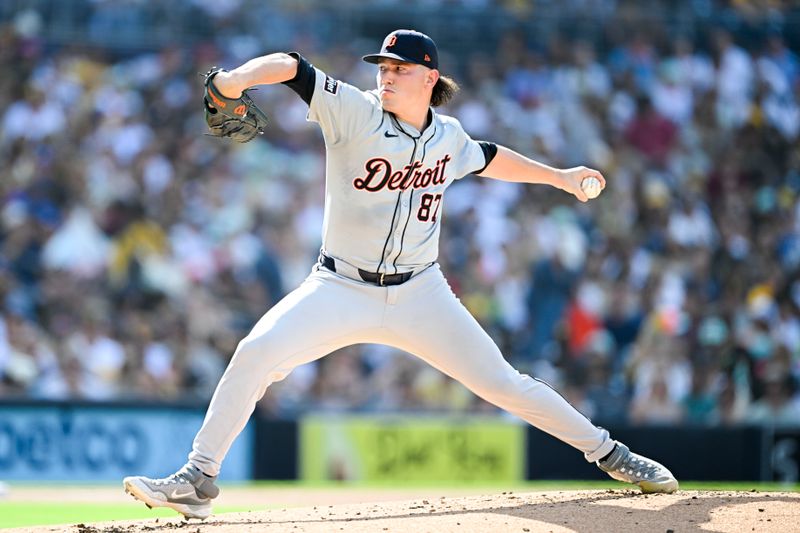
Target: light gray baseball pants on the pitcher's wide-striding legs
x=422, y=316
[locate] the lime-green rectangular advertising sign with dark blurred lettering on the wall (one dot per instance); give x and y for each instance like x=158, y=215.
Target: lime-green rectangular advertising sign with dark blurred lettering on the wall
x=411, y=449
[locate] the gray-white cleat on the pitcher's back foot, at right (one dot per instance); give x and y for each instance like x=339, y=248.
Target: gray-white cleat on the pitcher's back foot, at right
x=649, y=475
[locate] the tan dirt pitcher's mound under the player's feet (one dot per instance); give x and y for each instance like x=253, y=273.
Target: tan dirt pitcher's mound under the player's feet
x=556, y=511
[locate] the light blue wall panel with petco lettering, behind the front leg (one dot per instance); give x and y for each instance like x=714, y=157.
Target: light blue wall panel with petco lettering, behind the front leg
x=88, y=443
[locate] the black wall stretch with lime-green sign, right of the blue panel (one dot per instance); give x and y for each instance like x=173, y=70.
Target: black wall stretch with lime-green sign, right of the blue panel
x=411, y=450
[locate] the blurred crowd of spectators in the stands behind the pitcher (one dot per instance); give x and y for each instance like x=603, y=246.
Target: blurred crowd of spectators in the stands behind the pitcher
x=135, y=252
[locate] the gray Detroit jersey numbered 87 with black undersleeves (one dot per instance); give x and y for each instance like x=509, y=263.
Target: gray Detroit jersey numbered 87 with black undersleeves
x=385, y=180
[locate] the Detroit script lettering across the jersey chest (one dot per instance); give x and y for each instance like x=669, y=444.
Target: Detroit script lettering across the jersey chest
x=380, y=175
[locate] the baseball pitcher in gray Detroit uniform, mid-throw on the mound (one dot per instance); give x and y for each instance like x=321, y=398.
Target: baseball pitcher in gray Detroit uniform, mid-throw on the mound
x=390, y=160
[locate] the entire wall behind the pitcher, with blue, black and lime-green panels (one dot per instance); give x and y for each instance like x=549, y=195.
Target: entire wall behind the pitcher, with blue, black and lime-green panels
x=90, y=442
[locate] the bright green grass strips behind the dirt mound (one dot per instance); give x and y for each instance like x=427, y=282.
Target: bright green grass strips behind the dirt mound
x=25, y=514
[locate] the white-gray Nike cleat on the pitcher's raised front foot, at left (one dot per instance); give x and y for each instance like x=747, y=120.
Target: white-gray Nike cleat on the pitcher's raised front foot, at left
x=187, y=491
